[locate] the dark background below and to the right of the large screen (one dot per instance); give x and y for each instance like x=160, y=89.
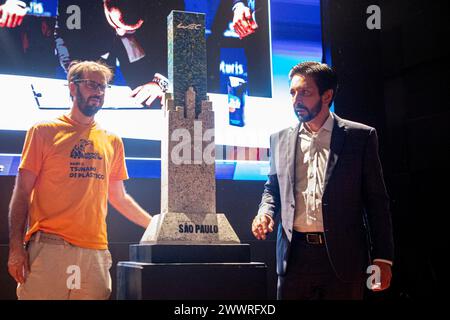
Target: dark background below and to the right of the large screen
x=395, y=79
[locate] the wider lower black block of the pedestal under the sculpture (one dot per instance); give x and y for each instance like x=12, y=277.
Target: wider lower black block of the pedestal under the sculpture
x=191, y=281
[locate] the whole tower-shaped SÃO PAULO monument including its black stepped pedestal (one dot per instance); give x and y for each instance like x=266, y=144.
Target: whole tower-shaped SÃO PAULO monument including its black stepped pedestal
x=188, y=242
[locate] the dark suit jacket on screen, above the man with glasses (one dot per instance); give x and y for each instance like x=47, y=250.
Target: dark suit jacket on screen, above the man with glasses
x=96, y=37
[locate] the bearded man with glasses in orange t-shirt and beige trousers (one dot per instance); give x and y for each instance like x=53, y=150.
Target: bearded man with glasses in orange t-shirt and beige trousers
x=70, y=168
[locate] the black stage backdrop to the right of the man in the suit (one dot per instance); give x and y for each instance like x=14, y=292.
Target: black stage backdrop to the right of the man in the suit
x=396, y=79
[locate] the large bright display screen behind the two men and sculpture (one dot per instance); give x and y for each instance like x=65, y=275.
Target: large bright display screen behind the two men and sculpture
x=247, y=76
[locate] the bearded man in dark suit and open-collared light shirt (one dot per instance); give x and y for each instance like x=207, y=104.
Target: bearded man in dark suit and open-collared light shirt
x=326, y=183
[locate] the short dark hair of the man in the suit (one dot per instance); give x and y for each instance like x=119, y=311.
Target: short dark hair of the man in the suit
x=324, y=76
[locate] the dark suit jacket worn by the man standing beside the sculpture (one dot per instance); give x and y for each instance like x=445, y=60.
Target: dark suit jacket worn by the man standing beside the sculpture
x=355, y=204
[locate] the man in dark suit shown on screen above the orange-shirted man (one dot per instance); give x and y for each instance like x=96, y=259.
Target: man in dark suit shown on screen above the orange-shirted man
x=133, y=32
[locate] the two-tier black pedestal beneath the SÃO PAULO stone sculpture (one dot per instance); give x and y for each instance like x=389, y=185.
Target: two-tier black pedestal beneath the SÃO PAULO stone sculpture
x=191, y=271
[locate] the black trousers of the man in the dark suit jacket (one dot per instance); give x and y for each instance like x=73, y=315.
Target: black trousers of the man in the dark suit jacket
x=310, y=276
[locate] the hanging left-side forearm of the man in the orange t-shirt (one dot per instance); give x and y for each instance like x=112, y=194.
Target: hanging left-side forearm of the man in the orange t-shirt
x=17, y=218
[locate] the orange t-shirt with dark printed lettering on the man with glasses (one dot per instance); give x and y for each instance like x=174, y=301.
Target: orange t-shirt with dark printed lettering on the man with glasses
x=73, y=164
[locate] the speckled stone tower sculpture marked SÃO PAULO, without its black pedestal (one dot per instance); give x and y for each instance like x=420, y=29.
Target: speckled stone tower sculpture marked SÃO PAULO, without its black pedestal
x=188, y=186
